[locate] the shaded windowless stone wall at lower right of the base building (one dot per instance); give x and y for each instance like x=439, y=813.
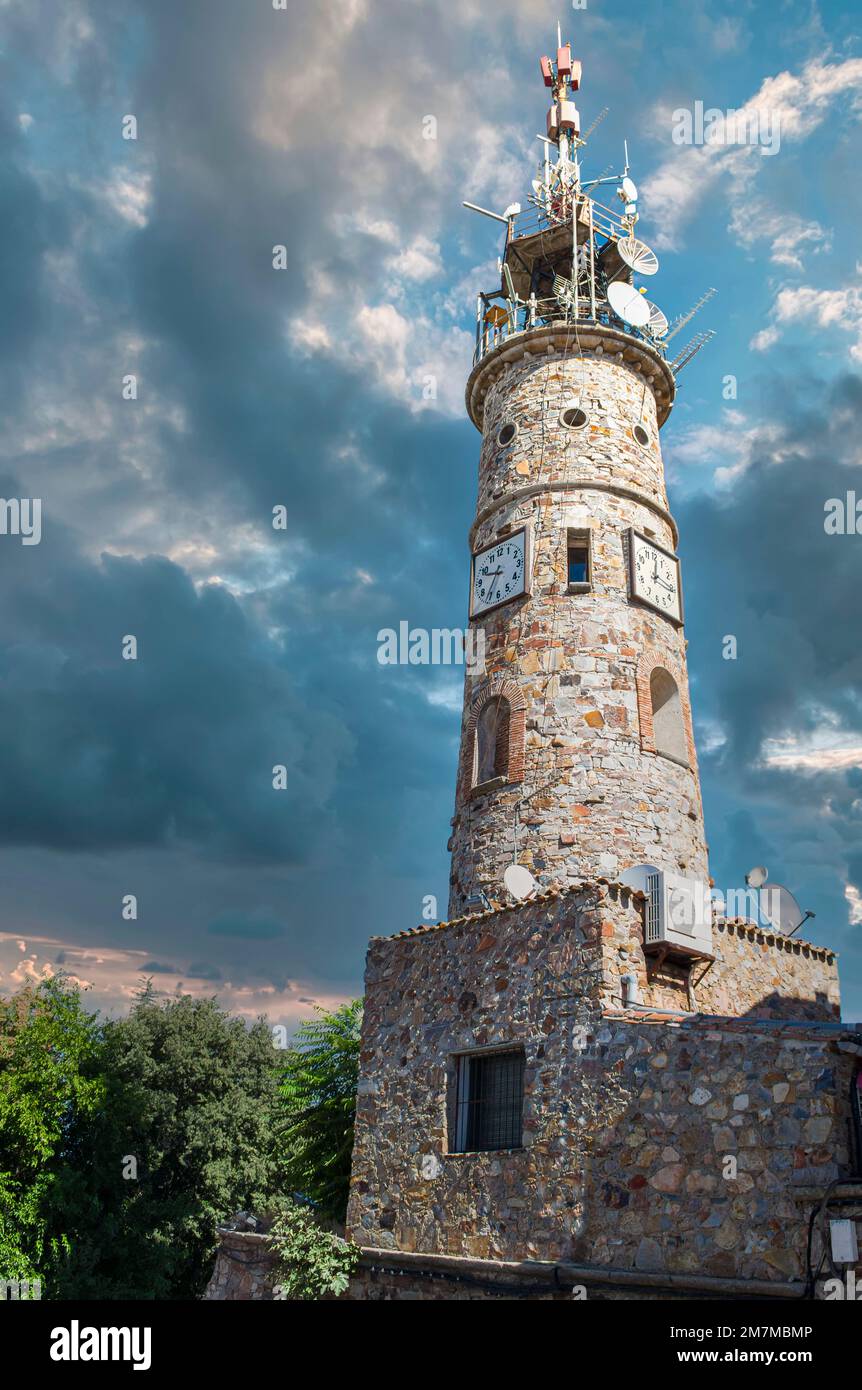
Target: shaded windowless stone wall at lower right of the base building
x=689, y=1099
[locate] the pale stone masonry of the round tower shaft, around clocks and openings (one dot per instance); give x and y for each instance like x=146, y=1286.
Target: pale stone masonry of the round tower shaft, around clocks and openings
x=604, y=799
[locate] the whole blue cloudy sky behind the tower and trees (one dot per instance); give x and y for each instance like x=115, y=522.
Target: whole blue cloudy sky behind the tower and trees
x=307, y=389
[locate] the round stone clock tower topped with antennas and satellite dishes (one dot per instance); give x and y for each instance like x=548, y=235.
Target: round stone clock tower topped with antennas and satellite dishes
x=578, y=755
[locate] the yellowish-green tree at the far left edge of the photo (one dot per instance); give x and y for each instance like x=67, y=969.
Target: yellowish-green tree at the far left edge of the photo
x=51, y=1085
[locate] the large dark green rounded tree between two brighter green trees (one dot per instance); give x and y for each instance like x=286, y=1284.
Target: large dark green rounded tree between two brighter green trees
x=186, y=1139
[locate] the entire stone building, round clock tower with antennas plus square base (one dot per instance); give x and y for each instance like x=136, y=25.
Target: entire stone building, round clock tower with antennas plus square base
x=571, y=1084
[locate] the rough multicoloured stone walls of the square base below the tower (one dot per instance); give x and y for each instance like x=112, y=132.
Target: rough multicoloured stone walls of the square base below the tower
x=629, y=1124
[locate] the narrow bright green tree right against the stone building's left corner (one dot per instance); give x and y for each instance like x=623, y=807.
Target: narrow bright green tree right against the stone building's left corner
x=319, y=1099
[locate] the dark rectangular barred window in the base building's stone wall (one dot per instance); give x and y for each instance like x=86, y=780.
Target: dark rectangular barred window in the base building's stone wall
x=490, y=1102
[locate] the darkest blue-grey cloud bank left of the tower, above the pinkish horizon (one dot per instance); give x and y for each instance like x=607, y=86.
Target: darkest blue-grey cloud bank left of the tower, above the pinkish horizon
x=174, y=747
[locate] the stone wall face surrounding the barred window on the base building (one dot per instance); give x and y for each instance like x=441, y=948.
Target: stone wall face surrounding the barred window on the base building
x=530, y=978
